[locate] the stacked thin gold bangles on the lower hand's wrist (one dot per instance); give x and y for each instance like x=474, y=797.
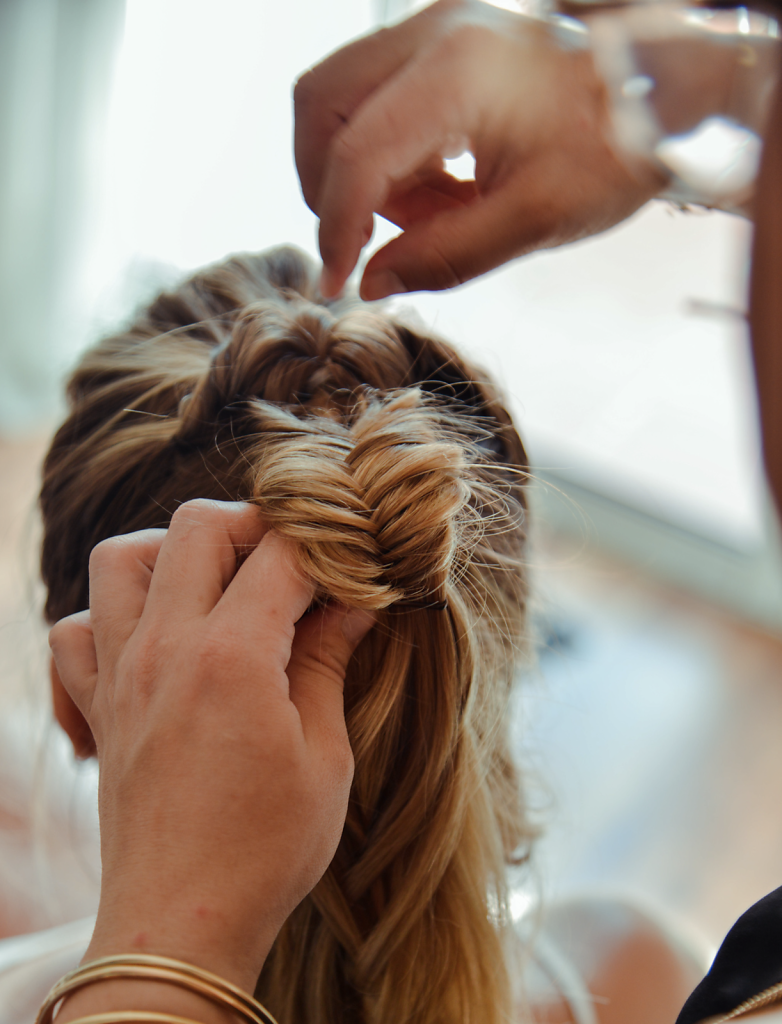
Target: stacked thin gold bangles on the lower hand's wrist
x=148, y=968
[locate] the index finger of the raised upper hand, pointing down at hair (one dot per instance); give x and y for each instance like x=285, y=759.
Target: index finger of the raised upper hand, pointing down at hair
x=412, y=118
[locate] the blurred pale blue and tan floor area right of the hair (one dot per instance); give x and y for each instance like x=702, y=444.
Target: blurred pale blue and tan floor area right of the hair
x=659, y=726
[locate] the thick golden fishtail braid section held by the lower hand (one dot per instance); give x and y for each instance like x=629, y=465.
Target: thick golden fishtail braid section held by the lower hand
x=377, y=508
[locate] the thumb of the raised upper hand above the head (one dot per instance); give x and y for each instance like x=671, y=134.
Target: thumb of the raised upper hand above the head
x=460, y=244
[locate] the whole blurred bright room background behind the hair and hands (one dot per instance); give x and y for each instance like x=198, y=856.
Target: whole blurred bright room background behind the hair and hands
x=143, y=139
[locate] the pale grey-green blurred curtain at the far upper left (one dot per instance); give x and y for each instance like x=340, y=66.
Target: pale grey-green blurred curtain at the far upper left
x=56, y=65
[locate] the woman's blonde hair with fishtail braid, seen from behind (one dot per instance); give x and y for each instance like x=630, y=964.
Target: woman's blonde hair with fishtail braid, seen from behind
x=396, y=467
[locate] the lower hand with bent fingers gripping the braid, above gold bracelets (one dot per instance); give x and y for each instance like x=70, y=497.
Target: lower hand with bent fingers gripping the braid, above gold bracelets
x=218, y=713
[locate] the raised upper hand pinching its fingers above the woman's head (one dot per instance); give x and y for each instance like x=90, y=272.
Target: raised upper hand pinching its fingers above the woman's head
x=375, y=120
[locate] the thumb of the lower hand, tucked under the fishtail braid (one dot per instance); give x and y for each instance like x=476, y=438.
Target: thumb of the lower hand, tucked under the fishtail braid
x=323, y=648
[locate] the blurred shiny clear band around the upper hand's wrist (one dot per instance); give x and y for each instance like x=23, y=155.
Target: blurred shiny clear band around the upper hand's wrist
x=690, y=91
